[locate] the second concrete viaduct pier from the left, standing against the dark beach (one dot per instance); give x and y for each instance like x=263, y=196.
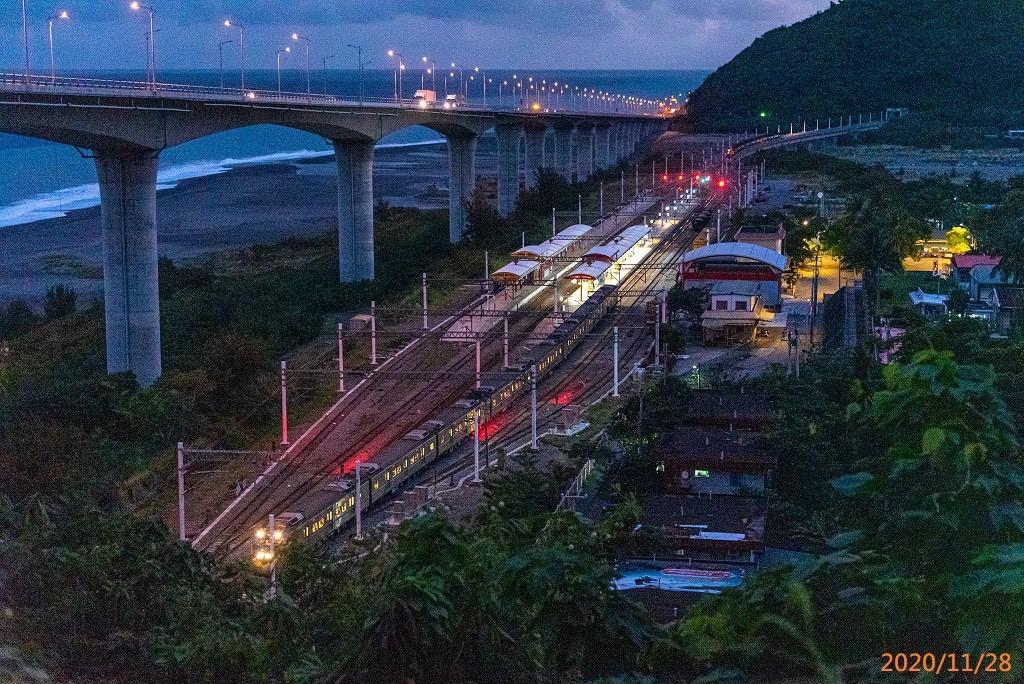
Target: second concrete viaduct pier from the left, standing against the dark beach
x=356, y=209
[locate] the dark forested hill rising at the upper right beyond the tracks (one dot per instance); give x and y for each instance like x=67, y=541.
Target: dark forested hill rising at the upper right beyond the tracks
x=953, y=61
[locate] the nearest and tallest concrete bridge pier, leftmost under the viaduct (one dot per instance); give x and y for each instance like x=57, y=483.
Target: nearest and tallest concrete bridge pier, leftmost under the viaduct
x=132, y=301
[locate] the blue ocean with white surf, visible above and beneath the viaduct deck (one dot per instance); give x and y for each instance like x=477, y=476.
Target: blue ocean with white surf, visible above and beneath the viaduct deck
x=41, y=181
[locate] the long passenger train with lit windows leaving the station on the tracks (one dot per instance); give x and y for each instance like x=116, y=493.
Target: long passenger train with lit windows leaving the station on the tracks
x=438, y=438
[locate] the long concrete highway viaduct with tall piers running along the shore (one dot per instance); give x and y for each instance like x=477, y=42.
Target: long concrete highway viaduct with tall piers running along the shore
x=125, y=129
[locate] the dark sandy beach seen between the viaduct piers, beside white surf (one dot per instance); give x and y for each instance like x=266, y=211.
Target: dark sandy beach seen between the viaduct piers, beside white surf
x=201, y=218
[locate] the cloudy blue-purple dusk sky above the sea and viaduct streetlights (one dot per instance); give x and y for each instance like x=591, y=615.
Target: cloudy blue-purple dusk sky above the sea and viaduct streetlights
x=552, y=34
